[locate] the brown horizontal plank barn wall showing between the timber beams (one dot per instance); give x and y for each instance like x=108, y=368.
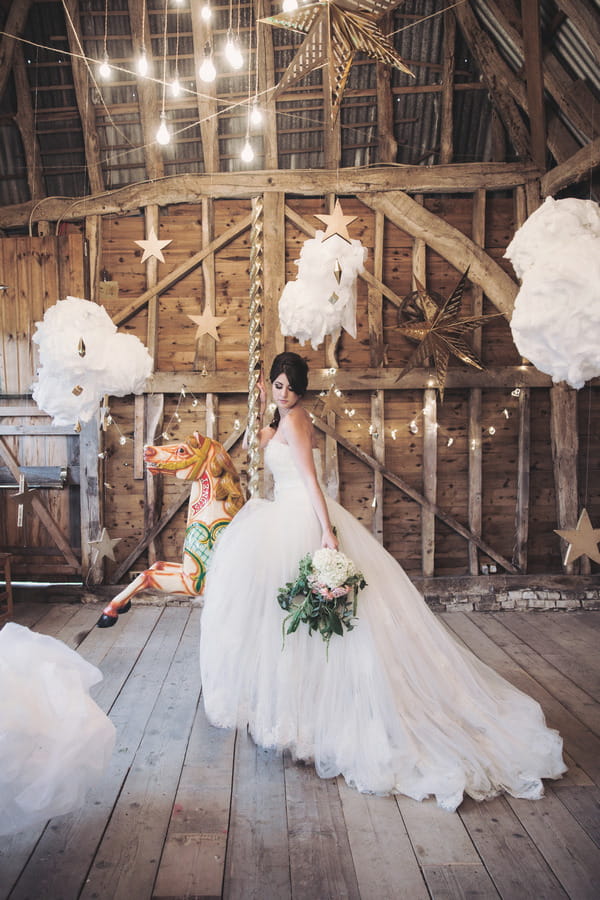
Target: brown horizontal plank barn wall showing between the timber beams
x=123, y=278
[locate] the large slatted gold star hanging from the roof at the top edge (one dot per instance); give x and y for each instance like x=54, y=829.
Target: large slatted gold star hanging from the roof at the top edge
x=335, y=31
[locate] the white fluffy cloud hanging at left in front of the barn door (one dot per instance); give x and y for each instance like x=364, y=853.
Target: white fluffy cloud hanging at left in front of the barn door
x=113, y=363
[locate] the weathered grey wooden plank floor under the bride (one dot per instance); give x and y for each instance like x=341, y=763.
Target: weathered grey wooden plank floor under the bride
x=186, y=810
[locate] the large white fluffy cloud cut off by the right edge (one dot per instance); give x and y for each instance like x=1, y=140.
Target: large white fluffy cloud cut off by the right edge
x=556, y=319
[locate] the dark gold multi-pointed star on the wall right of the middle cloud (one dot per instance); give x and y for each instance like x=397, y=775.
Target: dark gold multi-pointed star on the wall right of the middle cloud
x=439, y=331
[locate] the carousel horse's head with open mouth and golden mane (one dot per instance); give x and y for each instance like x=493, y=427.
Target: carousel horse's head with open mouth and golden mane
x=196, y=458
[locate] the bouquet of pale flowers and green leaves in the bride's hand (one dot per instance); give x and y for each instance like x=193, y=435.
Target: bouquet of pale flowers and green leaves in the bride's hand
x=324, y=594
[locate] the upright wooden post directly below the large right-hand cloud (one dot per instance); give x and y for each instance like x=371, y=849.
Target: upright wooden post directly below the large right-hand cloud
x=565, y=446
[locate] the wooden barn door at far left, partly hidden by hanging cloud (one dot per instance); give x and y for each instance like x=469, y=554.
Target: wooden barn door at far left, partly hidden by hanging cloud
x=41, y=529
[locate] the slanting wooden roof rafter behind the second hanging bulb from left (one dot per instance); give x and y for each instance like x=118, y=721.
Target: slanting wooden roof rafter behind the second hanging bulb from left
x=147, y=100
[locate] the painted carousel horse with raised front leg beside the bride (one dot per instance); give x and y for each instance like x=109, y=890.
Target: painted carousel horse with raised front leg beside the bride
x=216, y=496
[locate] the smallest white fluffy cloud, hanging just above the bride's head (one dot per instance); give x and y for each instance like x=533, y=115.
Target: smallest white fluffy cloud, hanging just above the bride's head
x=308, y=309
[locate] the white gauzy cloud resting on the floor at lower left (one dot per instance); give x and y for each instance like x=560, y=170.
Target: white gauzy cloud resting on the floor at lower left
x=54, y=740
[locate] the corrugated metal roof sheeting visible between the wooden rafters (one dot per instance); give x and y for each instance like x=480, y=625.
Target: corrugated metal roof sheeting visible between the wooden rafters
x=418, y=30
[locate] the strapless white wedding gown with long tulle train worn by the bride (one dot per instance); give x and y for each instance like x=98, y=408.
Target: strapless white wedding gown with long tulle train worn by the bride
x=398, y=706
